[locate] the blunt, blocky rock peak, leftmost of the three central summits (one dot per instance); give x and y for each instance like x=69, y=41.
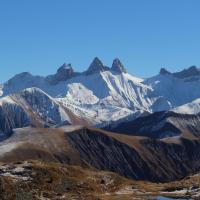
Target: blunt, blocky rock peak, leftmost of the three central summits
x=64, y=72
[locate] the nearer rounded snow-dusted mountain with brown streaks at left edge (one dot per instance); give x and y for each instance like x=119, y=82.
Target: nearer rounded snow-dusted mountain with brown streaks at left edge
x=32, y=107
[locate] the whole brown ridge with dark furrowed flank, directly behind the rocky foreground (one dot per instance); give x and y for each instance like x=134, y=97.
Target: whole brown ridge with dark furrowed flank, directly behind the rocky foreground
x=133, y=157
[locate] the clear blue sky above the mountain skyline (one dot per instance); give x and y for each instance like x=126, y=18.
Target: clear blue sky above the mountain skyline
x=40, y=35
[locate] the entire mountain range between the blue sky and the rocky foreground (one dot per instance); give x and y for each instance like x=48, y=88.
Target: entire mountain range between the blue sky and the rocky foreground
x=104, y=118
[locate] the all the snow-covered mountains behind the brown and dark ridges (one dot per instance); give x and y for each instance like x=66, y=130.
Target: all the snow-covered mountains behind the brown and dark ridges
x=98, y=96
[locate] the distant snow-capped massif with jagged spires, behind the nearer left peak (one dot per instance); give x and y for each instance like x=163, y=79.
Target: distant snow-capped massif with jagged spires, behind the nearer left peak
x=103, y=95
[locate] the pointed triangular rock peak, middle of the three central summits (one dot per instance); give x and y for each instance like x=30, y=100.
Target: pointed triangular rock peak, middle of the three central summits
x=96, y=66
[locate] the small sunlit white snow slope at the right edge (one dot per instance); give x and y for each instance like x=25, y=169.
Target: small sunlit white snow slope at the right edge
x=189, y=108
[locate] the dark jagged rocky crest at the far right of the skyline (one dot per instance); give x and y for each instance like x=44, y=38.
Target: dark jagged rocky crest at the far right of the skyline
x=191, y=71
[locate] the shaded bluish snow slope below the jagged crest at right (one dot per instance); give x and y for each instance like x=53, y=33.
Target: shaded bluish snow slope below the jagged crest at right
x=177, y=91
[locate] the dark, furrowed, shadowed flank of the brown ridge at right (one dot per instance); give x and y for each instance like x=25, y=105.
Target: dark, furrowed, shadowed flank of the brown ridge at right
x=137, y=157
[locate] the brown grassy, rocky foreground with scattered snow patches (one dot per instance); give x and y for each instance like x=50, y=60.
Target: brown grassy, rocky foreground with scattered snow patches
x=35, y=180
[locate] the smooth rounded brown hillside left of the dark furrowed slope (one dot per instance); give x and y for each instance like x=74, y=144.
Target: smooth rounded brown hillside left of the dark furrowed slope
x=40, y=143
